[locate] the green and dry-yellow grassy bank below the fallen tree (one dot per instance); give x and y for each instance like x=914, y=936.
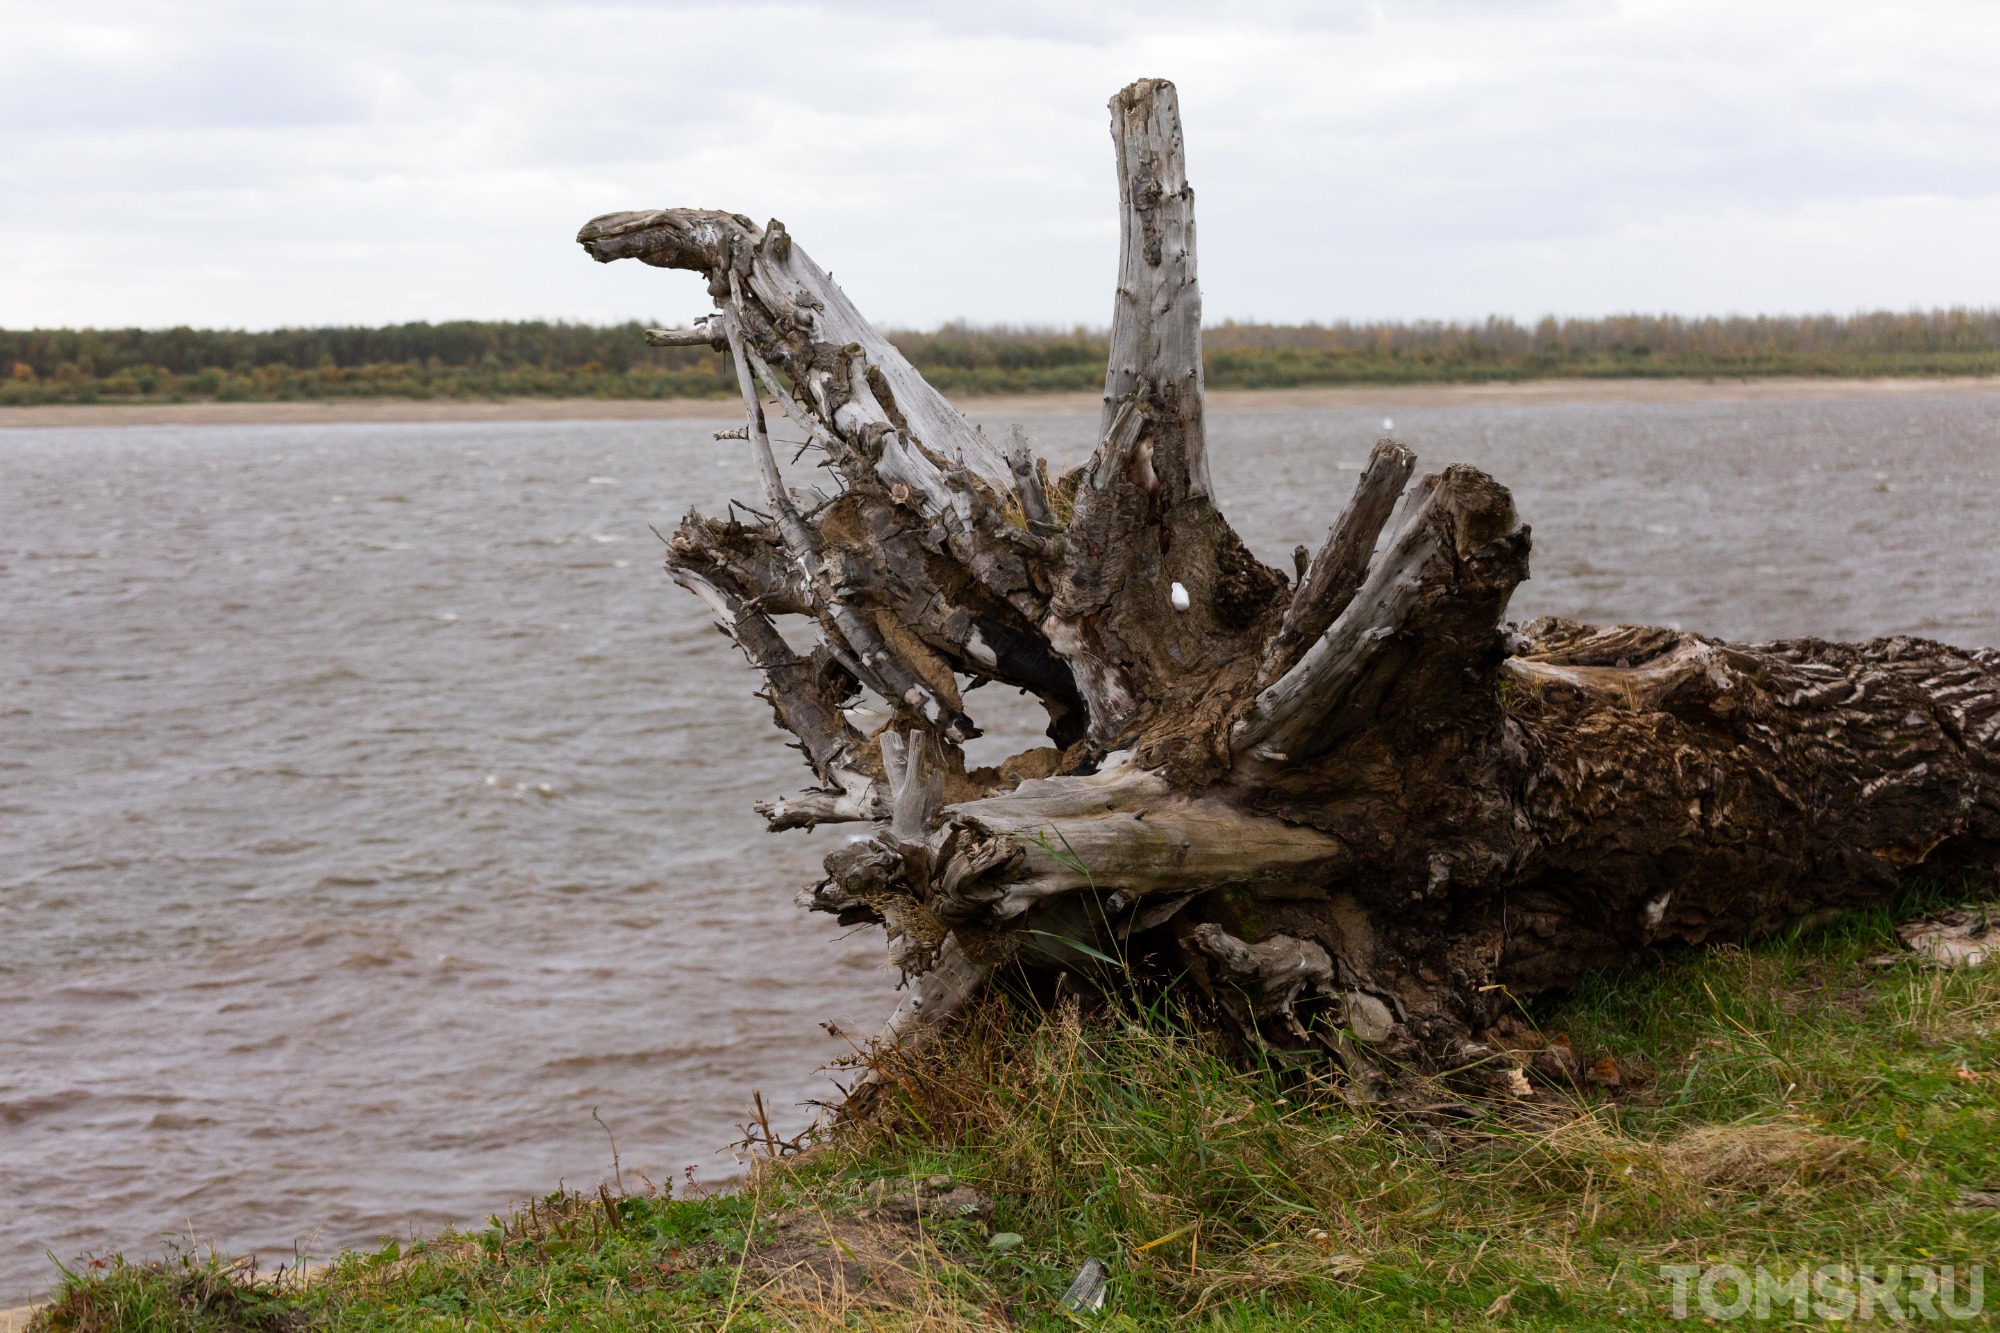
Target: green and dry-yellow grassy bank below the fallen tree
x=1775, y=1106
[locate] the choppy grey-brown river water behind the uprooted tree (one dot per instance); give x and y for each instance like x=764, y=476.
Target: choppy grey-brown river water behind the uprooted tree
x=375, y=816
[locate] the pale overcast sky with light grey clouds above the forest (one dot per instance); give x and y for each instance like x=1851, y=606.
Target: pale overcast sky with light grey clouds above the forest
x=275, y=163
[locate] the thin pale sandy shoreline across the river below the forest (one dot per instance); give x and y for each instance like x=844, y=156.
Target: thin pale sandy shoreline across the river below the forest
x=1389, y=397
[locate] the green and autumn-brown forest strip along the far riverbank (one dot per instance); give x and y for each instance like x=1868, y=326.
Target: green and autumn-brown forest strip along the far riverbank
x=503, y=359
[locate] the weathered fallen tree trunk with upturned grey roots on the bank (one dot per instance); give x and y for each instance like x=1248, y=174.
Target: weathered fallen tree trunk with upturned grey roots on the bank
x=1361, y=816
